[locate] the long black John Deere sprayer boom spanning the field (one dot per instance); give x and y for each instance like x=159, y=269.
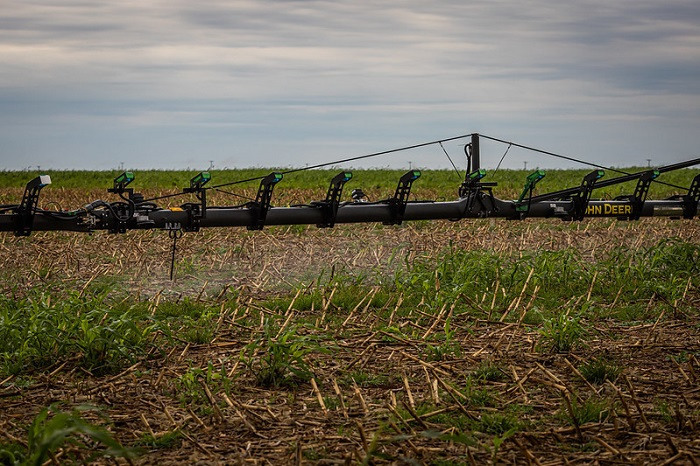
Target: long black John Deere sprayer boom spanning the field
x=476, y=200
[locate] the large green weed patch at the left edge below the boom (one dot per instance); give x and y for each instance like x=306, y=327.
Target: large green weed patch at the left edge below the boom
x=37, y=331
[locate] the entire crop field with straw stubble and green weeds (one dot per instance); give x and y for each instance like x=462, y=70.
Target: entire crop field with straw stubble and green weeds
x=533, y=342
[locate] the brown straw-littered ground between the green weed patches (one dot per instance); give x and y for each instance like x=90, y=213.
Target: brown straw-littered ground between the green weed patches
x=377, y=397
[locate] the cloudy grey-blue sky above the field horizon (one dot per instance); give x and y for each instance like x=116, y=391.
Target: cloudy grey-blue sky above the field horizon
x=289, y=83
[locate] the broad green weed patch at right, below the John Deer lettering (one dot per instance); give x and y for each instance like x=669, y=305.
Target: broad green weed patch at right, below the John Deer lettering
x=625, y=276
